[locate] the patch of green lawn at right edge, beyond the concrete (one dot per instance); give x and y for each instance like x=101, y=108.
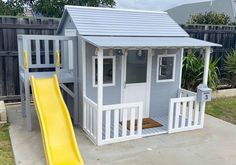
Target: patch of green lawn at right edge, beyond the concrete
x=224, y=108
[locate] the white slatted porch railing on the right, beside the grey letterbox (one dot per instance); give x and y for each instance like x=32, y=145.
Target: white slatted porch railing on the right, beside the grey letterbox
x=185, y=113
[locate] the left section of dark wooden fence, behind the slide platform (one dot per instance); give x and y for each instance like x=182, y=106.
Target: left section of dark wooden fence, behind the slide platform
x=10, y=27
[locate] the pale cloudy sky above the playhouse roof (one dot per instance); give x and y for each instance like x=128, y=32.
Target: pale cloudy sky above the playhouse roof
x=155, y=5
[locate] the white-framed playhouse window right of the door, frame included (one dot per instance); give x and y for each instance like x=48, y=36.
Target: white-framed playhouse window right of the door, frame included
x=166, y=68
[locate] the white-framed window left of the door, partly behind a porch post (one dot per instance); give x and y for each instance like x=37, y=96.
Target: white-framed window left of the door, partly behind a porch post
x=108, y=71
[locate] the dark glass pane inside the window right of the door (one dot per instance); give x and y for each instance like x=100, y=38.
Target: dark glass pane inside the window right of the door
x=166, y=68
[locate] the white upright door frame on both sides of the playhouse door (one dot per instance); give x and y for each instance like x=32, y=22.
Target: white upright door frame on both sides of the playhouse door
x=149, y=73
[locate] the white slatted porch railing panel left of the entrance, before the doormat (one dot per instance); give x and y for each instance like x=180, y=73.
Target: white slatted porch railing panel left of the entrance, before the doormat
x=122, y=122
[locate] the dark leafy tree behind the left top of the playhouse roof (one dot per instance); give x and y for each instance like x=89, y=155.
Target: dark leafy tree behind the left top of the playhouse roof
x=54, y=8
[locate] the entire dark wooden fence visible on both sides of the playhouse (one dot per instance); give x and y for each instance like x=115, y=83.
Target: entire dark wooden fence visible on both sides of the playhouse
x=11, y=26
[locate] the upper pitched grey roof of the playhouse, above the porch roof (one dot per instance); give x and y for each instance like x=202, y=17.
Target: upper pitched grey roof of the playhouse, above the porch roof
x=119, y=22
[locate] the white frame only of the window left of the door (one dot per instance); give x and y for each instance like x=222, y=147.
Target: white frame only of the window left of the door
x=113, y=70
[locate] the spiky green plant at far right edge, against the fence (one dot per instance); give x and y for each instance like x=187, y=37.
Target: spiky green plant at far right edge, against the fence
x=230, y=67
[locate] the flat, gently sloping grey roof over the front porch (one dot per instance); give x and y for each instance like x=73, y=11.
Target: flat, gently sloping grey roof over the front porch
x=152, y=42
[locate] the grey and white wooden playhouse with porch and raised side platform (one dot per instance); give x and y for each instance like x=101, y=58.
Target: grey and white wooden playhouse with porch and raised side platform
x=117, y=69
